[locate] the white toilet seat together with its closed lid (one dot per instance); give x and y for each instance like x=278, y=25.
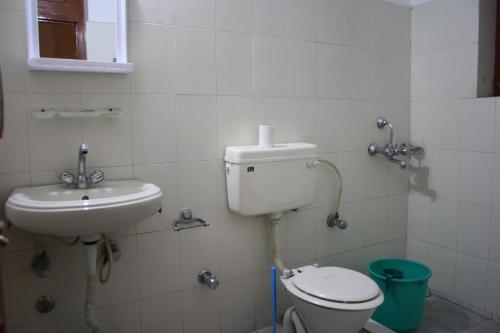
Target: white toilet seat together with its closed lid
x=334, y=288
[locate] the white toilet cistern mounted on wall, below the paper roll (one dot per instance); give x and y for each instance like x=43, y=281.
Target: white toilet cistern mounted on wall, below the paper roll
x=270, y=180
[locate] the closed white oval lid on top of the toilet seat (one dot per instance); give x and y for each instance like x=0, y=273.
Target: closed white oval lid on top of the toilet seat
x=337, y=284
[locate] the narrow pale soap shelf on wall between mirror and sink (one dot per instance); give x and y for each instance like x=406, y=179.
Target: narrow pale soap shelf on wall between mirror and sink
x=76, y=113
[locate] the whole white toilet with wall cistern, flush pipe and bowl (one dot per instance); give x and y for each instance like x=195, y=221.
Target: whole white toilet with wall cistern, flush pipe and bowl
x=269, y=181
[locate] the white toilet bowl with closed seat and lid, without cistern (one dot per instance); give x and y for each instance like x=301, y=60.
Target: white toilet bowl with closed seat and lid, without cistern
x=332, y=299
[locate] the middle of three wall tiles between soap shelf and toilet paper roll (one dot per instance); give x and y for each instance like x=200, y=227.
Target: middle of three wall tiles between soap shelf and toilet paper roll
x=196, y=118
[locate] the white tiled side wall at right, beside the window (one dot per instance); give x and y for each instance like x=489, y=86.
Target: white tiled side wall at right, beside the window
x=458, y=234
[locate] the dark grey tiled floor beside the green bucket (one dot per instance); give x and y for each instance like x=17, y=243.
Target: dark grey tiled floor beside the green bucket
x=441, y=316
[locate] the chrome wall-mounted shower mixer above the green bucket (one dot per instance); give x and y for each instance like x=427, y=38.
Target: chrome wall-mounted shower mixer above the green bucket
x=391, y=149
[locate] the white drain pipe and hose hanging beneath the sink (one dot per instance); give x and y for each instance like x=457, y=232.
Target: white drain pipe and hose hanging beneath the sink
x=92, y=279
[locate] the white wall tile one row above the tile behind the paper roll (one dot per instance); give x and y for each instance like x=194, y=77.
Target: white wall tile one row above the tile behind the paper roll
x=269, y=67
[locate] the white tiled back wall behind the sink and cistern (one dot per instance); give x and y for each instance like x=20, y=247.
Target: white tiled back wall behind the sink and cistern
x=207, y=74
